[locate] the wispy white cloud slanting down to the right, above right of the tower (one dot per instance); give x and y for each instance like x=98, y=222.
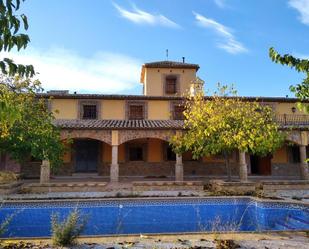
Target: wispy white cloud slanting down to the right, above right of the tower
x=228, y=42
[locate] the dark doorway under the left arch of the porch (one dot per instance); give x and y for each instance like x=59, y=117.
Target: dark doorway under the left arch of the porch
x=86, y=156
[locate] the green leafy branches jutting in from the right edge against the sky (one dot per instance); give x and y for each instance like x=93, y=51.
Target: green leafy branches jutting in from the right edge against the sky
x=301, y=90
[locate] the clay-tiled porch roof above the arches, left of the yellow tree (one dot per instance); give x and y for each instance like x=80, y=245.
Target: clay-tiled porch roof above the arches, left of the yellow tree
x=119, y=124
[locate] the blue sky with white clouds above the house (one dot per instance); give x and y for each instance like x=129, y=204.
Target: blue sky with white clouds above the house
x=99, y=46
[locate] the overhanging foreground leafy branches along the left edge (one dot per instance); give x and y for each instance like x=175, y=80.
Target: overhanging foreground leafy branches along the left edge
x=10, y=38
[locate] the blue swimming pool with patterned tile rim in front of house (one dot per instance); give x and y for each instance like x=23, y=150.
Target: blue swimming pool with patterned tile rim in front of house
x=135, y=216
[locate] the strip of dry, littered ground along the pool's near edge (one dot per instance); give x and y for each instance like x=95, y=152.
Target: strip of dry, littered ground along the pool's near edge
x=299, y=240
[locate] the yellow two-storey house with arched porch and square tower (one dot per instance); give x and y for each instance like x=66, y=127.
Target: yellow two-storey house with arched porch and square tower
x=119, y=136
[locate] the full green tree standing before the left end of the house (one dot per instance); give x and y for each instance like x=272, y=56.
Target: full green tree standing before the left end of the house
x=32, y=133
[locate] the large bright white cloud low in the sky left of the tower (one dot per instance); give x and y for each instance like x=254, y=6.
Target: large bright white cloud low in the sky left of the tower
x=63, y=69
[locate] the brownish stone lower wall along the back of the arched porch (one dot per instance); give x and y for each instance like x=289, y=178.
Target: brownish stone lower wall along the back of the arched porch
x=160, y=169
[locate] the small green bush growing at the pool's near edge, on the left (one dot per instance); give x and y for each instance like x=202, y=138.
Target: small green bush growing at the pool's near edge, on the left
x=64, y=233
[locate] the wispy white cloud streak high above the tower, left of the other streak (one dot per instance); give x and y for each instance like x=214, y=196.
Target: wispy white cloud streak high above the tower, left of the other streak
x=142, y=17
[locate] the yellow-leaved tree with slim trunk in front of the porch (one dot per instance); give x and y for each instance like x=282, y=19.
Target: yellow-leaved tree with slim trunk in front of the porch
x=223, y=124
